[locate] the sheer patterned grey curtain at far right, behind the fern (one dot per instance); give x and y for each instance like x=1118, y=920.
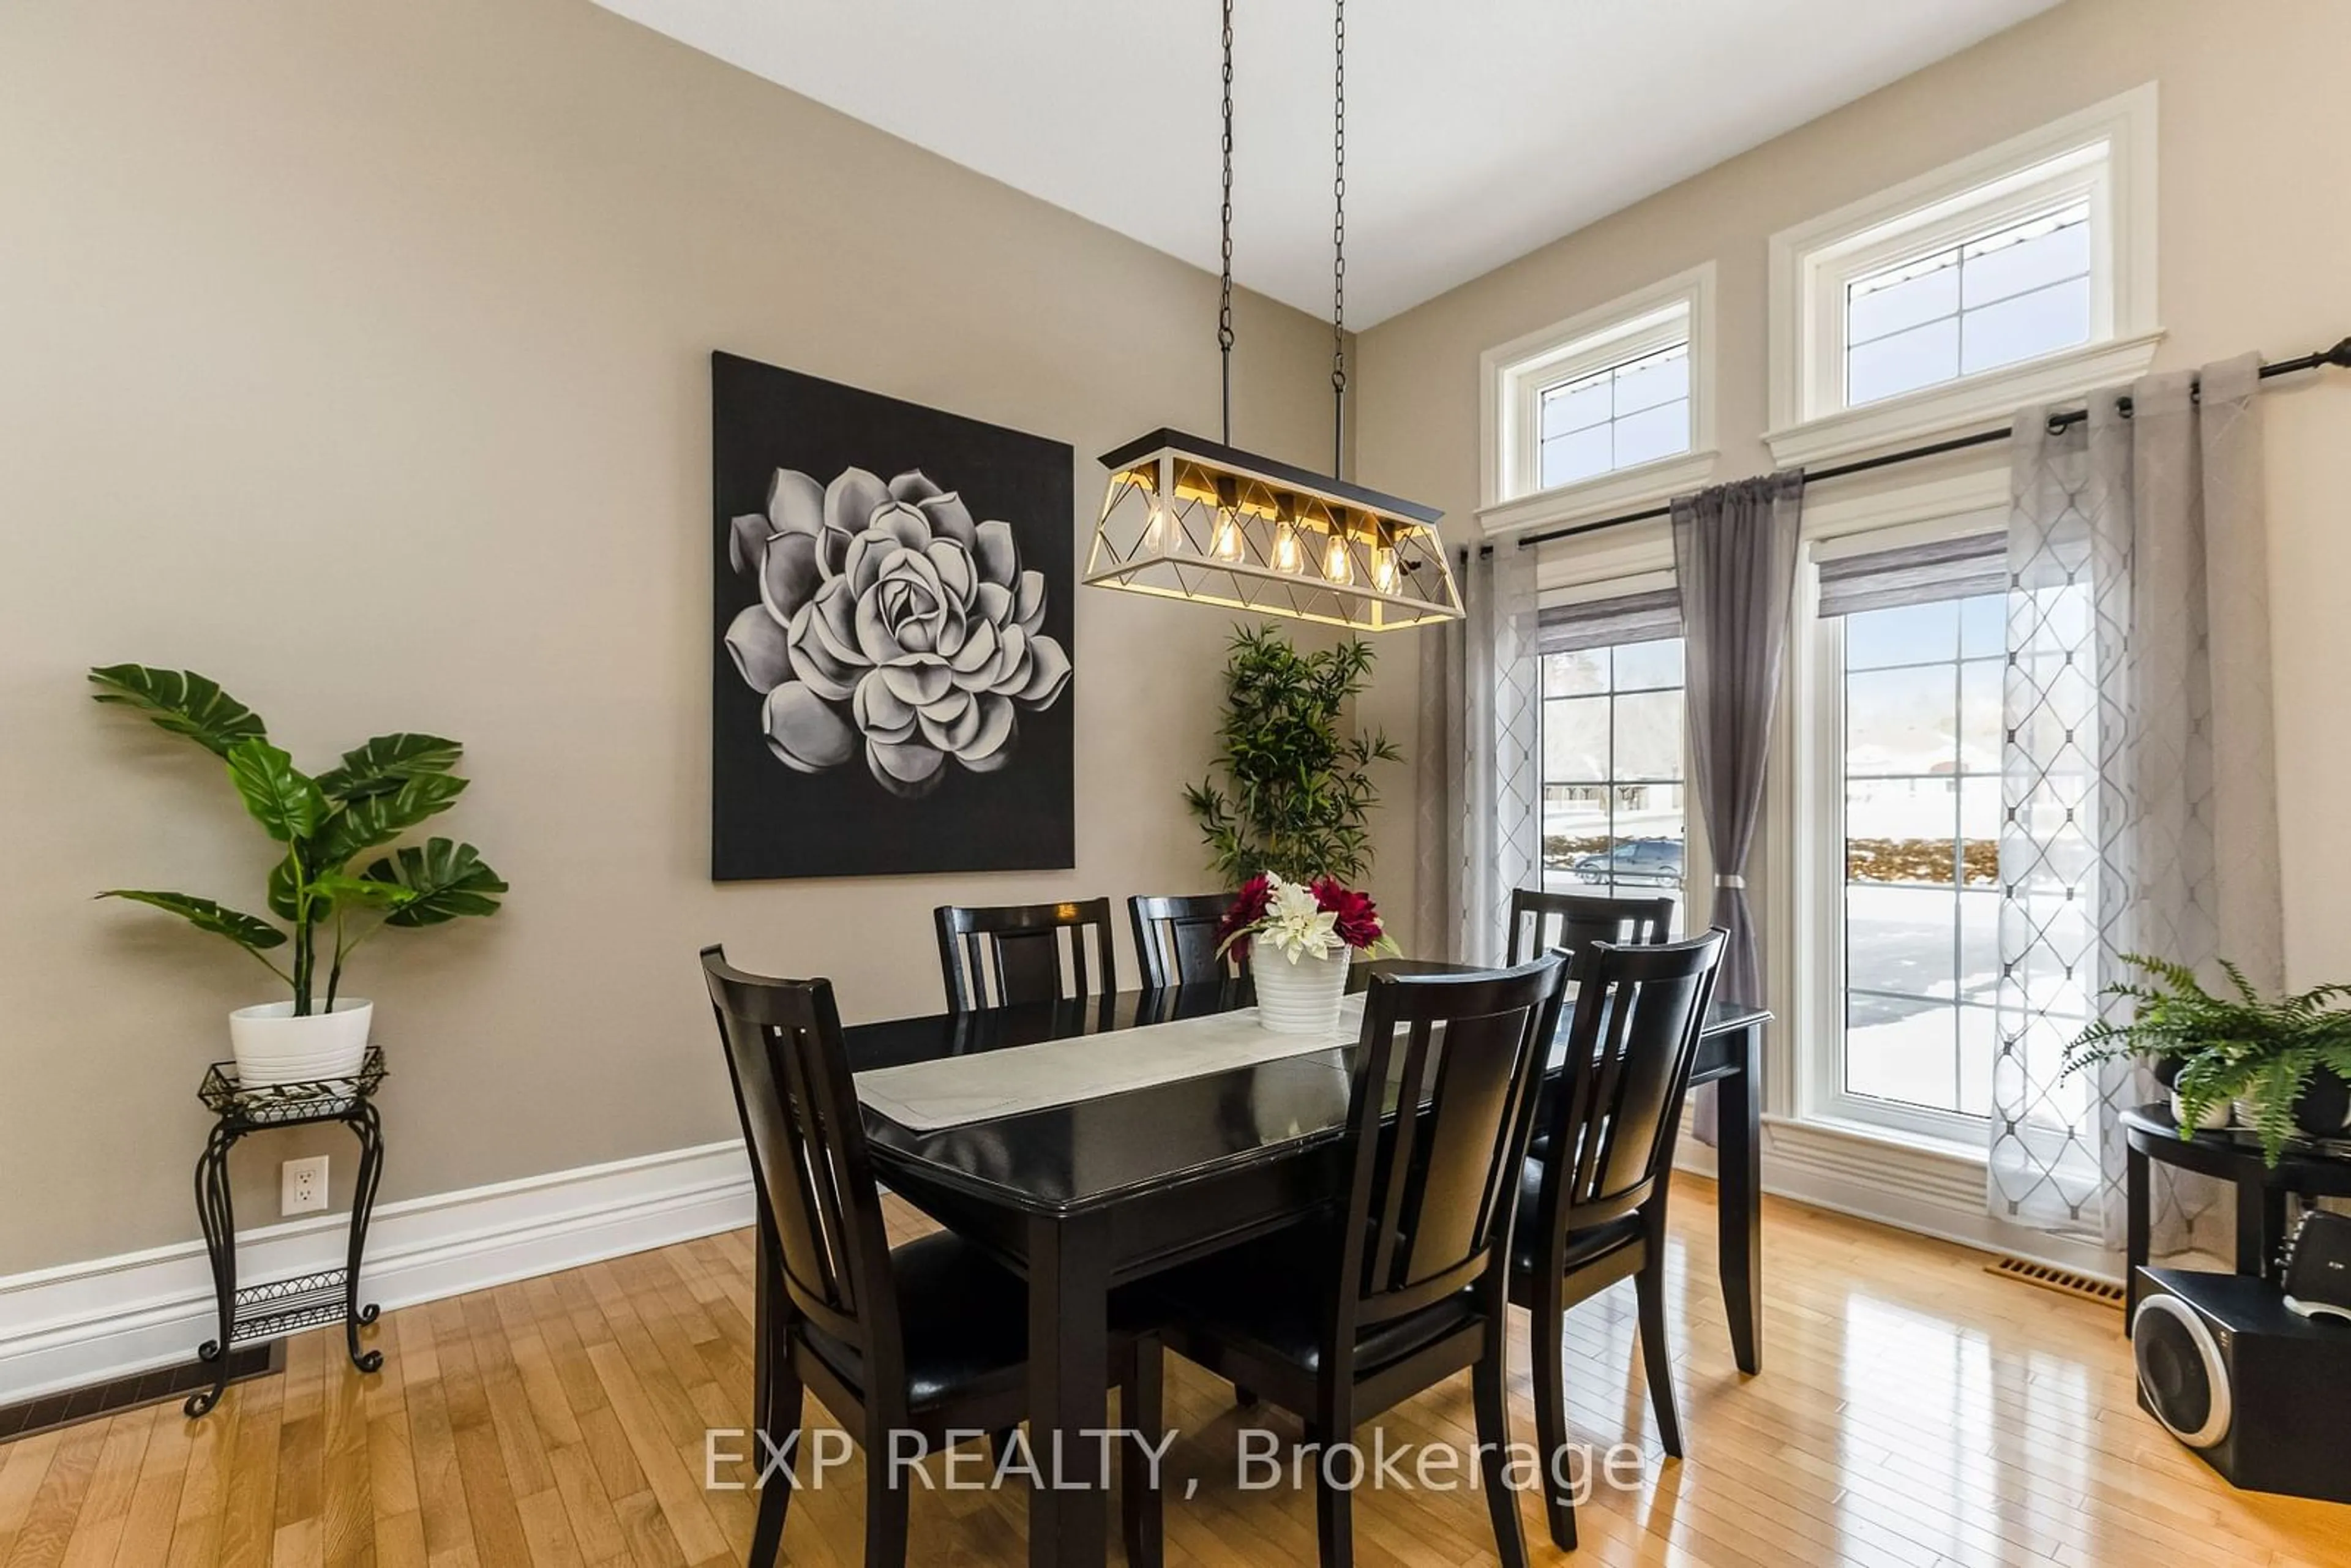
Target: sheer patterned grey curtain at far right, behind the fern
x=2138, y=772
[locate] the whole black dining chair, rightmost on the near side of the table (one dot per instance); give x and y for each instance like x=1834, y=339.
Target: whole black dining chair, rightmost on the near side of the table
x=1593, y=1205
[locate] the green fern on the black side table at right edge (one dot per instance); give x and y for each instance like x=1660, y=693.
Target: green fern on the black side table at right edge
x=2279, y=1066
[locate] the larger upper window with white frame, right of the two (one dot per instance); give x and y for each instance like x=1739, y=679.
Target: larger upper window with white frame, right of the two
x=2025, y=274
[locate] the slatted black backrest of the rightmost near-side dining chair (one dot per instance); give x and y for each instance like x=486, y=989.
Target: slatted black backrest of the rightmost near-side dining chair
x=1633, y=1045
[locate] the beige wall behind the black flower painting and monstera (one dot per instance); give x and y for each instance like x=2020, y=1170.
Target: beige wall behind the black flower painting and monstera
x=356, y=354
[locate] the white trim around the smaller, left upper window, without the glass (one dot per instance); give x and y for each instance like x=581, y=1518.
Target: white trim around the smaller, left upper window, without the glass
x=1513, y=375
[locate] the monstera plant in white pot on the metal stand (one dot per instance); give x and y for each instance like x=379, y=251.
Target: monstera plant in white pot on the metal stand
x=333, y=890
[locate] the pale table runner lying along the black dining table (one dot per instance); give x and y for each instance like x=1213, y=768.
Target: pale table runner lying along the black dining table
x=989, y=1085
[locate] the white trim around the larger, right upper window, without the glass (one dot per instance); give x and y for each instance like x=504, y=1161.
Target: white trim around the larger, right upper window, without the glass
x=2103, y=154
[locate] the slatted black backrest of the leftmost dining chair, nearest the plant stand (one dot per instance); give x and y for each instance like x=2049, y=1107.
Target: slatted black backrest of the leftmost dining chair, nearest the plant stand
x=812, y=1172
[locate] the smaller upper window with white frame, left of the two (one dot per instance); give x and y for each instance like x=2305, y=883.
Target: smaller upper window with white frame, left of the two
x=1602, y=408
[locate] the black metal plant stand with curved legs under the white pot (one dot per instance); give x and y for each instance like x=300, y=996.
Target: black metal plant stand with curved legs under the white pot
x=274, y=1311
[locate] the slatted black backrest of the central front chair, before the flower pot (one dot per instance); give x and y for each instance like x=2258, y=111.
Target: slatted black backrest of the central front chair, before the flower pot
x=1431, y=1195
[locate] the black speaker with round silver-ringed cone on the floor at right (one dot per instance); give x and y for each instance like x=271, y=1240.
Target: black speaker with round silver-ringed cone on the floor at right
x=2260, y=1393
